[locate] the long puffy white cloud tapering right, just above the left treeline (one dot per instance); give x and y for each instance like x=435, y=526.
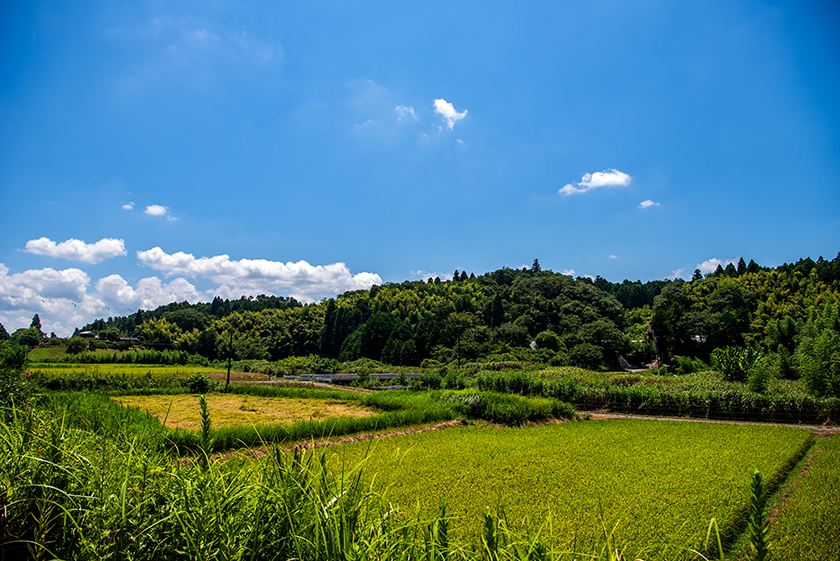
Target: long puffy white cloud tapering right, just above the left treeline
x=256, y=276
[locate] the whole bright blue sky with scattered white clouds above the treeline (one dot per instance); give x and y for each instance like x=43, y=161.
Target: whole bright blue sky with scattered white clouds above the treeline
x=160, y=151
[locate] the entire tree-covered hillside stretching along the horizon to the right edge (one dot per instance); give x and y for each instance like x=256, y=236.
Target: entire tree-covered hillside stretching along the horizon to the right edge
x=522, y=314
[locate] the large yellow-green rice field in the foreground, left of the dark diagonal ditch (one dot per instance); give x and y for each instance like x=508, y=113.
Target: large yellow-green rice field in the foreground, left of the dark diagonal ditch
x=654, y=485
